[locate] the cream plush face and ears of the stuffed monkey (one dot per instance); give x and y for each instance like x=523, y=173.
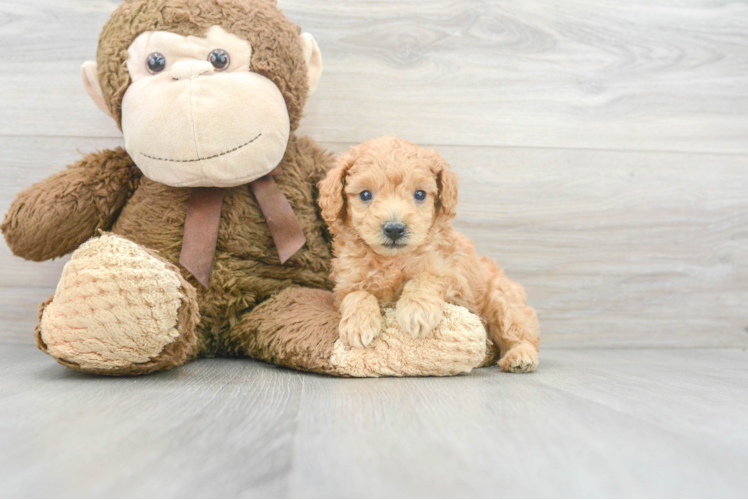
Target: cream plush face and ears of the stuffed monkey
x=195, y=113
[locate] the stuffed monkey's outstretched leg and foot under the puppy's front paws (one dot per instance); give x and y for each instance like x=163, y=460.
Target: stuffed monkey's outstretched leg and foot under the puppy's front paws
x=298, y=328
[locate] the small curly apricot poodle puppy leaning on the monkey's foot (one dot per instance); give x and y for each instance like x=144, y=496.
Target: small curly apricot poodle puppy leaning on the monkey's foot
x=389, y=204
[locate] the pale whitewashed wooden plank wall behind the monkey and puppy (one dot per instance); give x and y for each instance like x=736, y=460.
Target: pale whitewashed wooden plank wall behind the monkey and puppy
x=602, y=145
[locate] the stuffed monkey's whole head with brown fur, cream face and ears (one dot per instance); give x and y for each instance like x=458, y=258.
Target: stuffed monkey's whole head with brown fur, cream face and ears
x=206, y=92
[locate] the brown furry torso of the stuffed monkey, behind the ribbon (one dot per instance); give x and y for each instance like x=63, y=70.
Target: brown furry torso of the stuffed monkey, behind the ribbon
x=246, y=269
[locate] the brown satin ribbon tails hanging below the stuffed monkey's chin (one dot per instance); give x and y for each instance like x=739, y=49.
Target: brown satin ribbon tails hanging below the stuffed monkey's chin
x=204, y=216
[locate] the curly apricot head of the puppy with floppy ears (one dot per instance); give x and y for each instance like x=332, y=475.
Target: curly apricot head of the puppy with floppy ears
x=390, y=193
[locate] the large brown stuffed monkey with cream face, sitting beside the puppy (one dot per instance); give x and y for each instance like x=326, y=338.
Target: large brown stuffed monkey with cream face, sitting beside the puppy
x=202, y=237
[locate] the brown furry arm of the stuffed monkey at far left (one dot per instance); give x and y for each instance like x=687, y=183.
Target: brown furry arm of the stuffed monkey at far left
x=53, y=217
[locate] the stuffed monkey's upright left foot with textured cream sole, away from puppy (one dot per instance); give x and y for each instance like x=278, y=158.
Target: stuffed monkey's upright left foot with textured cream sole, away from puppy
x=119, y=309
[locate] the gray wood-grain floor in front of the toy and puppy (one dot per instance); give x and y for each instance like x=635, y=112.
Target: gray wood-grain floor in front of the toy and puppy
x=595, y=423
